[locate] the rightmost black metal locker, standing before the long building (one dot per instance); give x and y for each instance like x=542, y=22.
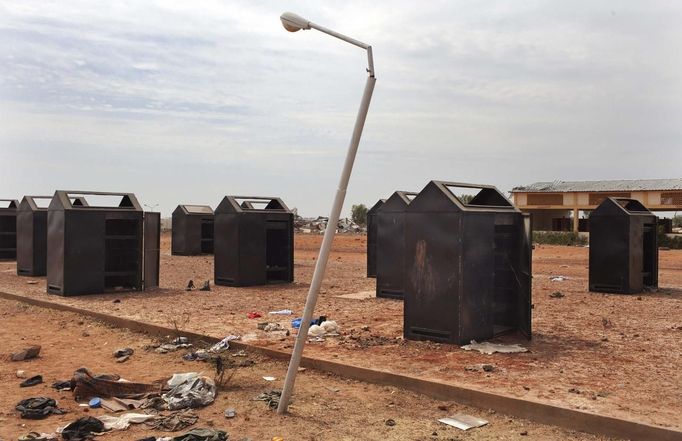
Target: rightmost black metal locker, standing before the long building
x=623, y=247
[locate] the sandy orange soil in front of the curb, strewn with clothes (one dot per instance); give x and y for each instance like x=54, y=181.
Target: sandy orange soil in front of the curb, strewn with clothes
x=326, y=407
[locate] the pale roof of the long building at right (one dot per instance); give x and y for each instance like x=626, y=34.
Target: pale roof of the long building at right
x=596, y=186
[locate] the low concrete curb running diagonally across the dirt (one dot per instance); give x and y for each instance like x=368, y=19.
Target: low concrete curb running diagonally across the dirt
x=532, y=410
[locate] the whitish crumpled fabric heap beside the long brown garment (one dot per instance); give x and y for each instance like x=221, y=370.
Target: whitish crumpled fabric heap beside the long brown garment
x=189, y=390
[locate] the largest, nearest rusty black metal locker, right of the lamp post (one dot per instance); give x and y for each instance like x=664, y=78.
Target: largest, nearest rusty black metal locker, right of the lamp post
x=467, y=264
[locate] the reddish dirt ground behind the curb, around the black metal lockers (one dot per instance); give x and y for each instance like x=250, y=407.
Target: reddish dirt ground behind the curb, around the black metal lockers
x=610, y=354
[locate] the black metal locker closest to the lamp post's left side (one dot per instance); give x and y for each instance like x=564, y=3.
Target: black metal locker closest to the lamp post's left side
x=253, y=242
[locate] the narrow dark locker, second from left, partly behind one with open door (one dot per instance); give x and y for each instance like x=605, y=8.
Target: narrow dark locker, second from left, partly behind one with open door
x=32, y=236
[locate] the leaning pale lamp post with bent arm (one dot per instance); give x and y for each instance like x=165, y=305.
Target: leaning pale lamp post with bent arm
x=293, y=23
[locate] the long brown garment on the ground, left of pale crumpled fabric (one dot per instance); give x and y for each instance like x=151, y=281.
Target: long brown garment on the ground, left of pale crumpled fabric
x=86, y=386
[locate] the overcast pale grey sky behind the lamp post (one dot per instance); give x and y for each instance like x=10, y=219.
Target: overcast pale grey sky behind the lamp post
x=184, y=102
